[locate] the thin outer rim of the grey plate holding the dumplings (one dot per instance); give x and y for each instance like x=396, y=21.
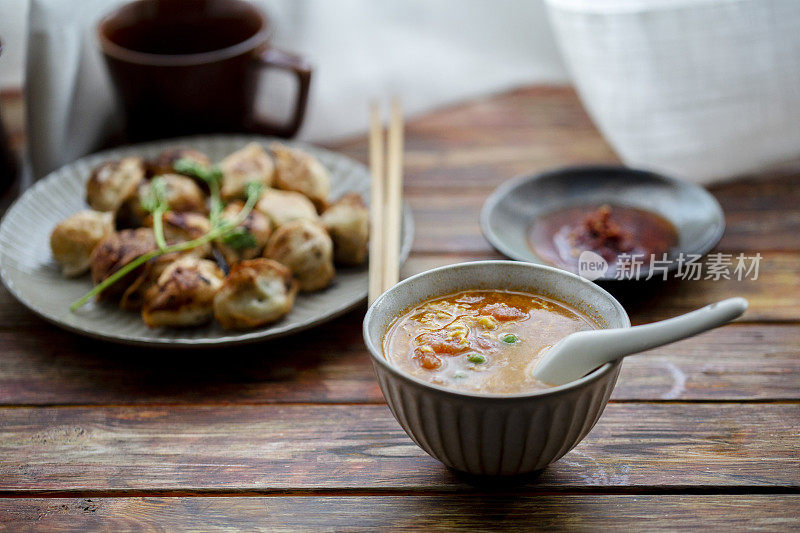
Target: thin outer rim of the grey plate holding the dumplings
x=233, y=339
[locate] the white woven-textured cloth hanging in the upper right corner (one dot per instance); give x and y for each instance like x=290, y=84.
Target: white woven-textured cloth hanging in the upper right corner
x=701, y=89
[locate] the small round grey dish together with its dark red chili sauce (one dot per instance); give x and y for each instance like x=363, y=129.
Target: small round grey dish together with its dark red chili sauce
x=517, y=215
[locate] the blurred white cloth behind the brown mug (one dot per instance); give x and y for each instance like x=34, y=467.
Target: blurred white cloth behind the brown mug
x=427, y=52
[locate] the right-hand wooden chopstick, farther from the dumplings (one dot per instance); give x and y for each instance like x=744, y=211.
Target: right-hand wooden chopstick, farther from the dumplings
x=394, y=197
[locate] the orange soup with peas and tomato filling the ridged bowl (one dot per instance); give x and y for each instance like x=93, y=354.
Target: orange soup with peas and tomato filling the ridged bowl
x=480, y=341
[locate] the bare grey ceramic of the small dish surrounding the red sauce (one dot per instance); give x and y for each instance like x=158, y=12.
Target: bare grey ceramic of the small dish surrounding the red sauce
x=510, y=210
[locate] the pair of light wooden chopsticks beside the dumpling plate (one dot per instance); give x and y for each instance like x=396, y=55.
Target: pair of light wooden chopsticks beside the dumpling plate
x=386, y=197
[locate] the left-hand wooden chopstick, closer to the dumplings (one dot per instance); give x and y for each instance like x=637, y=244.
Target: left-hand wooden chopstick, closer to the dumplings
x=377, y=211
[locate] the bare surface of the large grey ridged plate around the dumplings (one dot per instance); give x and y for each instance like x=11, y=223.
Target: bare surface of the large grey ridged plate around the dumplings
x=30, y=273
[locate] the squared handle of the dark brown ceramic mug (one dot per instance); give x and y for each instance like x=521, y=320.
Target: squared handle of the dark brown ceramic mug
x=275, y=58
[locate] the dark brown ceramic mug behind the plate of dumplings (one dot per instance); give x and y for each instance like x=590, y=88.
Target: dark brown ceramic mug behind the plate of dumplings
x=191, y=66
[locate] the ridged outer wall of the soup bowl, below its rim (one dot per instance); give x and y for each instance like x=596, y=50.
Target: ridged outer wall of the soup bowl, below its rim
x=505, y=437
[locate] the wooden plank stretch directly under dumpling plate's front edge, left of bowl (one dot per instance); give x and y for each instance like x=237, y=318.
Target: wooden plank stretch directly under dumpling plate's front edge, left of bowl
x=51, y=366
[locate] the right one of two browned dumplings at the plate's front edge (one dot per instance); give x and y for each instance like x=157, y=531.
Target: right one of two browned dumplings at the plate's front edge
x=255, y=292
